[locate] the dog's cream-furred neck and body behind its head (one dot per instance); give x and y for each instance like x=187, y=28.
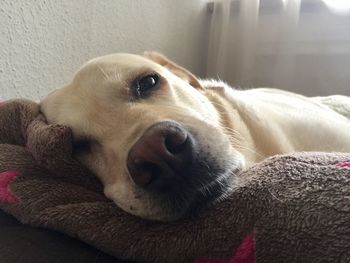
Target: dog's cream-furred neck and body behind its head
x=271, y=121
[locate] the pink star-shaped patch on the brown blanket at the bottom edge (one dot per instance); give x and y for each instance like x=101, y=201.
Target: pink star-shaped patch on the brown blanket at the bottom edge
x=245, y=253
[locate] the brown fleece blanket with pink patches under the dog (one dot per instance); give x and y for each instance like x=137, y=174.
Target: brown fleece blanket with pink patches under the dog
x=291, y=208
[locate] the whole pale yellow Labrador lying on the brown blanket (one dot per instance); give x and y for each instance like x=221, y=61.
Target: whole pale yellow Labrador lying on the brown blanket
x=166, y=144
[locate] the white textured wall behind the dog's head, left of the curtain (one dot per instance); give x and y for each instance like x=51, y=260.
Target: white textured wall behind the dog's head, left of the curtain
x=42, y=43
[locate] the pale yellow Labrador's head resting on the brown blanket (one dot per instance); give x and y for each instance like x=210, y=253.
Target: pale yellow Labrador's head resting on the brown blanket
x=144, y=125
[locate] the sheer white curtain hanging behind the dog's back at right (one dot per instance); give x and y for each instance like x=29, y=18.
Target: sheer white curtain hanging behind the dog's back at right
x=297, y=45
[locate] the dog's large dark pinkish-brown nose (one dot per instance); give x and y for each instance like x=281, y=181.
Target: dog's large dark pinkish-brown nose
x=162, y=155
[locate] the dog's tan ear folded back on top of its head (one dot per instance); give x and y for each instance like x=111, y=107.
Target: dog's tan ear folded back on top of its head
x=174, y=68
